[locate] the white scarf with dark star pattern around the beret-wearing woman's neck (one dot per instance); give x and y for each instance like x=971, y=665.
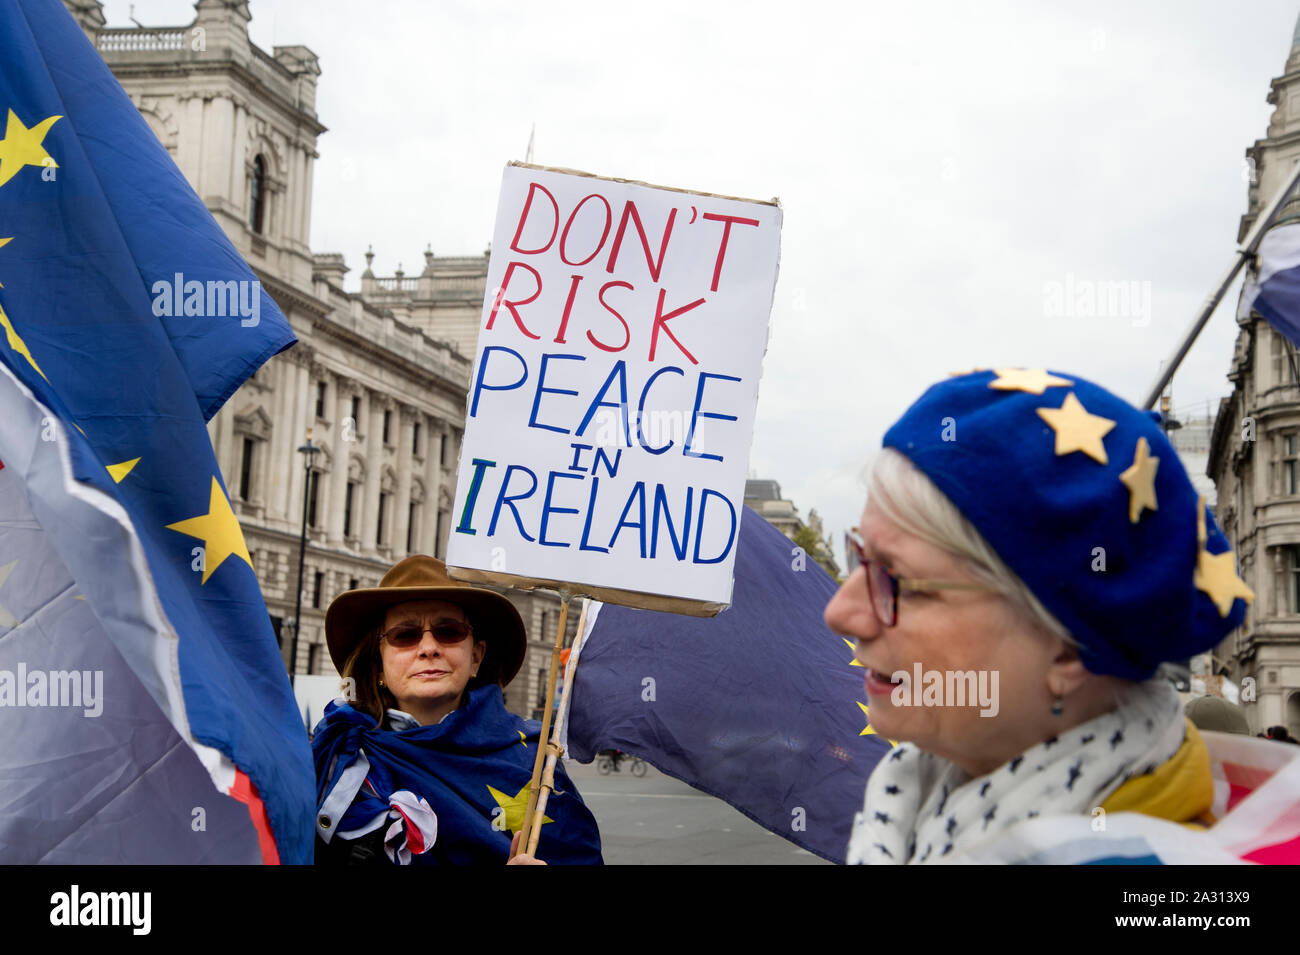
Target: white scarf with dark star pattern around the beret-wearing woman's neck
x=922, y=809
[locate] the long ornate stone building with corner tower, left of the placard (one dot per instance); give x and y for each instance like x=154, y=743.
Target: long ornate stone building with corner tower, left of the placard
x=378, y=380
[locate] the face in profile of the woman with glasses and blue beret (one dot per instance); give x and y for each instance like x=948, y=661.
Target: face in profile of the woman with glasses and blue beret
x=946, y=632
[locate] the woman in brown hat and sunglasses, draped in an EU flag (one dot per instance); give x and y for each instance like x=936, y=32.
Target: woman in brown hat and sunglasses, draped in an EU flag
x=424, y=765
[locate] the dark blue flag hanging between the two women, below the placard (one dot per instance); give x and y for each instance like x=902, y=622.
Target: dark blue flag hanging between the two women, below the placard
x=761, y=706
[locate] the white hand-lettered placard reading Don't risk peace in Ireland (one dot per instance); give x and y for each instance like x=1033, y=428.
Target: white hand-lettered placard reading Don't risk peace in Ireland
x=612, y=402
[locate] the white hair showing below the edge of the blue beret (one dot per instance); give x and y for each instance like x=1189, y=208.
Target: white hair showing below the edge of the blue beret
x=908, y=498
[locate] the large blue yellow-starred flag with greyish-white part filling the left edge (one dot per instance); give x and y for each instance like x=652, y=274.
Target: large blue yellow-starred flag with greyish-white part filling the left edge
x=144, y=702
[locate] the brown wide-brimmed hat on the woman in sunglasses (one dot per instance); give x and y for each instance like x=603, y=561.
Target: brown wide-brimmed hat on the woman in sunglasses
x=495, y=619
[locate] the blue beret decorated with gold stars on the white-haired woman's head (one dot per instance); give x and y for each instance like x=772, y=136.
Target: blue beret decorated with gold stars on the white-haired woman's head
x=1084, y=497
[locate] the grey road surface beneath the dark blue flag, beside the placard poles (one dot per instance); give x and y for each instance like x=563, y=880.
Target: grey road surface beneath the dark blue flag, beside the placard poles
x=657, y=821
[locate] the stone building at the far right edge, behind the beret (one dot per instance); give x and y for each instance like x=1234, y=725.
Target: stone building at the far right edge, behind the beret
x=1255, y=458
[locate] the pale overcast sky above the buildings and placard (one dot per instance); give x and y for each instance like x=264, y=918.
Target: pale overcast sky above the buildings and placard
x=941, y=167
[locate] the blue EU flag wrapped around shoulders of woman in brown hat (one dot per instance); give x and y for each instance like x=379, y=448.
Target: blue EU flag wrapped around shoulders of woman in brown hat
x=473, y=771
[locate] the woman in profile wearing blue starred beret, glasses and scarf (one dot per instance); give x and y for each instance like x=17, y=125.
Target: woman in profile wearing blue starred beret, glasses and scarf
x=1032, y=553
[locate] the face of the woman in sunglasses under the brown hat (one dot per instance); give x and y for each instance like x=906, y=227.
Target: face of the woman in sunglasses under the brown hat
x=430, y=676
